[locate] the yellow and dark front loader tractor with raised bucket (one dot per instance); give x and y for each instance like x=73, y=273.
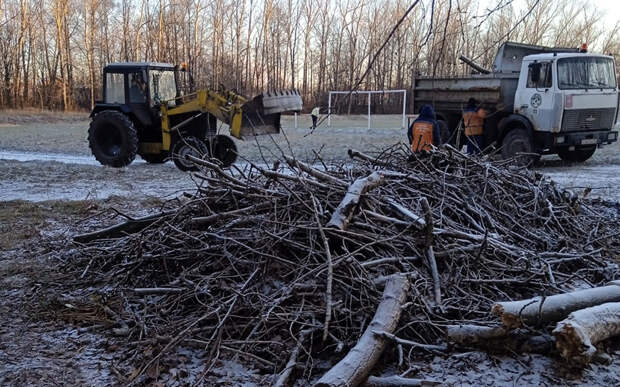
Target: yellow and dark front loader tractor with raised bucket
x=144, y=113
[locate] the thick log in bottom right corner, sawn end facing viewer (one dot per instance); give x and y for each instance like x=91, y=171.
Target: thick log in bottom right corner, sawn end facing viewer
x=583, y=328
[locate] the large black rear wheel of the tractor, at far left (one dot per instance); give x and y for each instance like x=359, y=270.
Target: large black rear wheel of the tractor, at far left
x=113, y=139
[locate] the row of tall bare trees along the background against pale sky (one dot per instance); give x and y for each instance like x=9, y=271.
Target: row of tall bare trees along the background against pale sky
x=52, y=51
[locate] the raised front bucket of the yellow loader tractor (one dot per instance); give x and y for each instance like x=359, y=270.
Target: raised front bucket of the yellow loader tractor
x=261, y=115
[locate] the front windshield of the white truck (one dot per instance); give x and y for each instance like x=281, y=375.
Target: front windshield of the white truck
x=586, y=73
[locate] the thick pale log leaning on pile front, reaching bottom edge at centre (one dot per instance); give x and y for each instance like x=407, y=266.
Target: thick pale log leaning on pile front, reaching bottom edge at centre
x=357, y=364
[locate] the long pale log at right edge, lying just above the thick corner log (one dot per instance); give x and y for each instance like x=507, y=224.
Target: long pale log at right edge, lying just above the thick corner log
x=537, y=310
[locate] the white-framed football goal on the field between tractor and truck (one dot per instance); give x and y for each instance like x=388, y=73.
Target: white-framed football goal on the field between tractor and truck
x=379, y=108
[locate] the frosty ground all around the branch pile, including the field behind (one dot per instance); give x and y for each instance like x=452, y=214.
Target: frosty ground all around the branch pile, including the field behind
x=45, y=161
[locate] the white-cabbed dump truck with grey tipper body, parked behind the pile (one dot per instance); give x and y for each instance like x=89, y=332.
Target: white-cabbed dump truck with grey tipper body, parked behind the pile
x=541, y=100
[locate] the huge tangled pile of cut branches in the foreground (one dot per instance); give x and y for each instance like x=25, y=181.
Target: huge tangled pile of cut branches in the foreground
x=308, y=260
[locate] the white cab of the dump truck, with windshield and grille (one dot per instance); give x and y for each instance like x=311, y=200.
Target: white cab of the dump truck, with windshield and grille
x=571, y=101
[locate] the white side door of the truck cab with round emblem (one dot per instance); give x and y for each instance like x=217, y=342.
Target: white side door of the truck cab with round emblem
x=536, y=97
